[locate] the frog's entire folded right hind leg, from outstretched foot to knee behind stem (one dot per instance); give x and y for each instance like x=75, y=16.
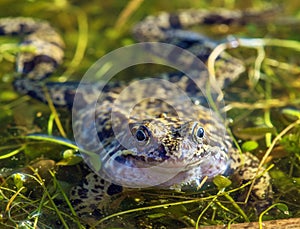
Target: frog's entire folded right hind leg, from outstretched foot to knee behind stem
x=172, y=28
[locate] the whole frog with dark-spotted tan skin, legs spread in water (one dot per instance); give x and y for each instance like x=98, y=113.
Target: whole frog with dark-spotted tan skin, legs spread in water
x=191, y=137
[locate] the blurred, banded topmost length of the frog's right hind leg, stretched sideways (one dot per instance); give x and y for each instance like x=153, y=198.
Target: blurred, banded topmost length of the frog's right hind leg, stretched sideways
x=162, y=26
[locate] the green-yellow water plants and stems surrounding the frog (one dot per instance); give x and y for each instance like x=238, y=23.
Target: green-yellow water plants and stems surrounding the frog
x=263, y=111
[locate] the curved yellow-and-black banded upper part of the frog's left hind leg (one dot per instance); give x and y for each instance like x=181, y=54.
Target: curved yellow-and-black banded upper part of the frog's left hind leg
x=41, y=48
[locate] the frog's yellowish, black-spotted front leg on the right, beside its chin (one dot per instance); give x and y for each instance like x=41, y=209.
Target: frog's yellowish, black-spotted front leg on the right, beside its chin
x=246, y=168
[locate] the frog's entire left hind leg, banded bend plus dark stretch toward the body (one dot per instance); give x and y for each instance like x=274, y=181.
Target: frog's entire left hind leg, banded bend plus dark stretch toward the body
x=41, y=51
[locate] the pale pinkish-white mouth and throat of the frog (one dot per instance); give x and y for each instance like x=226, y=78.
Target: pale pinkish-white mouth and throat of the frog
x=137, y=171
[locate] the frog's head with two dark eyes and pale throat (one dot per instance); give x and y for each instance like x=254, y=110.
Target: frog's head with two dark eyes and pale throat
x=166, y=151
